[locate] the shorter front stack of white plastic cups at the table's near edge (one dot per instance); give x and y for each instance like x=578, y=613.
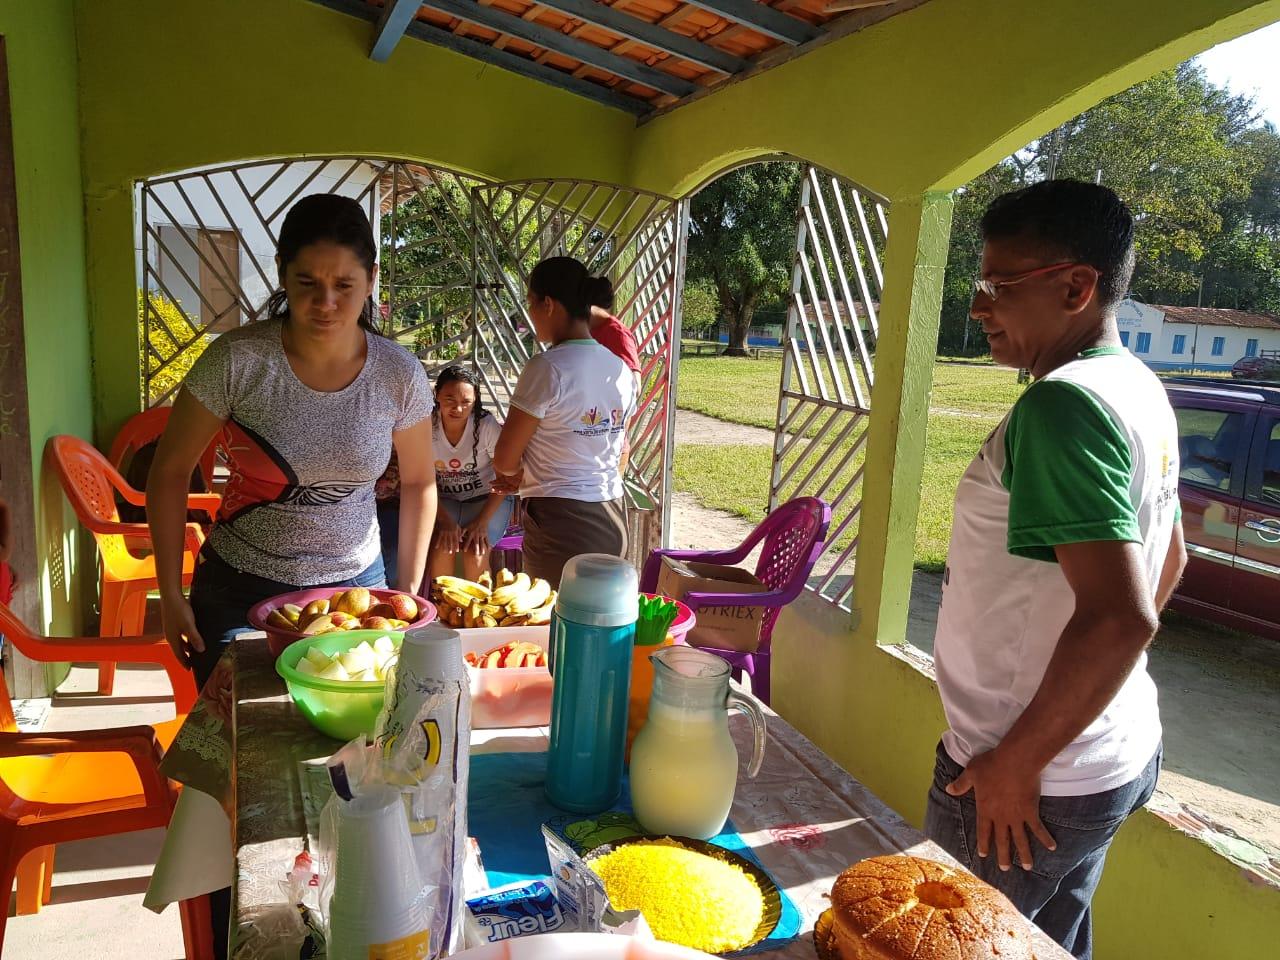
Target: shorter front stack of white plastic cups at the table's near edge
x=378, y=893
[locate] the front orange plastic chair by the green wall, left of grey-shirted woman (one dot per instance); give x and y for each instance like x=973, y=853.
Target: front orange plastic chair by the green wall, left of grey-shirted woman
x=89, y=483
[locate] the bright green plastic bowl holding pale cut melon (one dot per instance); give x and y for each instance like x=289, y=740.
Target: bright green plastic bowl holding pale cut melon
x=342, y=710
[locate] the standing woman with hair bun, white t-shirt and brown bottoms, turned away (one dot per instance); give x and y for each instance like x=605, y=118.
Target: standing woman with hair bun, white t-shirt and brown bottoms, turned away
x=563, y=446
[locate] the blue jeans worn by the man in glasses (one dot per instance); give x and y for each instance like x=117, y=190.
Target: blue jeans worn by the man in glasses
x=1055, y=894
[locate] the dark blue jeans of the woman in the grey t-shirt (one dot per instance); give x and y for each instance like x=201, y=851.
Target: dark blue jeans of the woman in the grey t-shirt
x=221, y=597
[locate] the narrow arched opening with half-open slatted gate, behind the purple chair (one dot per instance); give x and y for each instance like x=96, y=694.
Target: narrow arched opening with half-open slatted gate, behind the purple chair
x=784, y=282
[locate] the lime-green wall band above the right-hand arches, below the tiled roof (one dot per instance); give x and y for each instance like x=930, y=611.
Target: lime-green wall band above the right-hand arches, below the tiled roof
x=930, y=98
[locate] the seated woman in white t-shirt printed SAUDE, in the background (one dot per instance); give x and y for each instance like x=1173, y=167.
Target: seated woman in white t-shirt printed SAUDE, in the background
x=472, y=516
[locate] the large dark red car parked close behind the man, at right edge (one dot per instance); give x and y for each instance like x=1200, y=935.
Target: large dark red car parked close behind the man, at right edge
x=1229, y=484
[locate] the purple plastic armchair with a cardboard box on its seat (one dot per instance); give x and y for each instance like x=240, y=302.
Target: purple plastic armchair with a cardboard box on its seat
x=794, y=537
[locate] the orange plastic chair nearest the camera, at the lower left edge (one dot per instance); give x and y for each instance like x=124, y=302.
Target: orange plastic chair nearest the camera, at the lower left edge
x=79, y=785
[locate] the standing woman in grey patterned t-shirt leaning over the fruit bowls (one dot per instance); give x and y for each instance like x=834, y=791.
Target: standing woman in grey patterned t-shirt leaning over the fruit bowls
x=309, y=405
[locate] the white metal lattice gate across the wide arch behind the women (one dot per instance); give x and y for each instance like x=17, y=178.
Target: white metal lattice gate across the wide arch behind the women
x=456, y=254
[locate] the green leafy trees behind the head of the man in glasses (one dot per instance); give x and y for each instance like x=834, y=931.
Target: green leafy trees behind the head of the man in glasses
x=1203, y=181
